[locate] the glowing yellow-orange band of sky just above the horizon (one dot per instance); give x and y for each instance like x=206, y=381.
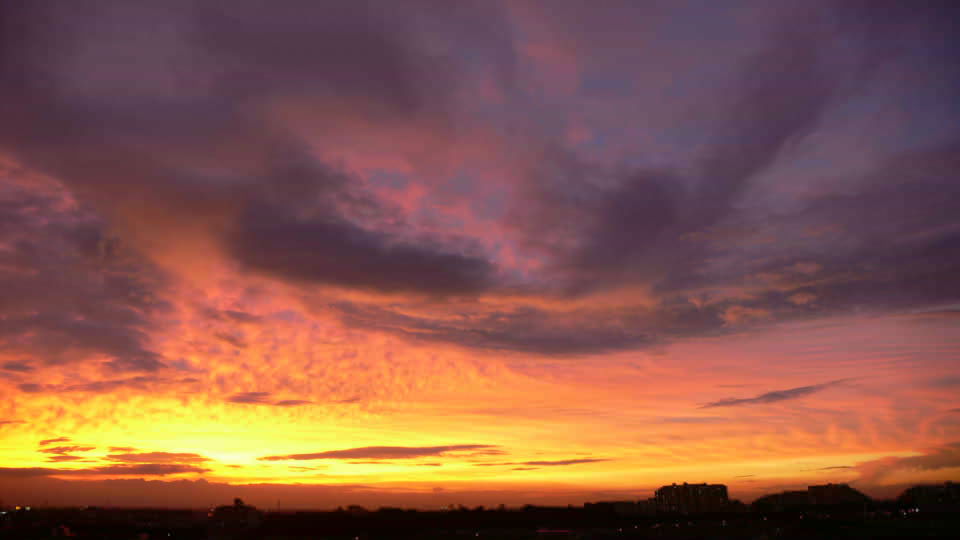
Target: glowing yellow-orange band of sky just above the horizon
x=622, y=422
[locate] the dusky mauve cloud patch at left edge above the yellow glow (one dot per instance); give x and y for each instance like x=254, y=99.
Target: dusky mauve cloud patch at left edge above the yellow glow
x=73, y=292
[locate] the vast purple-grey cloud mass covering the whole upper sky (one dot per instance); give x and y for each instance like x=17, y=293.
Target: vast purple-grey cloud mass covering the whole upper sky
x=240, y=148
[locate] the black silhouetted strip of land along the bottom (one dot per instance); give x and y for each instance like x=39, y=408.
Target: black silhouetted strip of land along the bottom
x=530, y=522
